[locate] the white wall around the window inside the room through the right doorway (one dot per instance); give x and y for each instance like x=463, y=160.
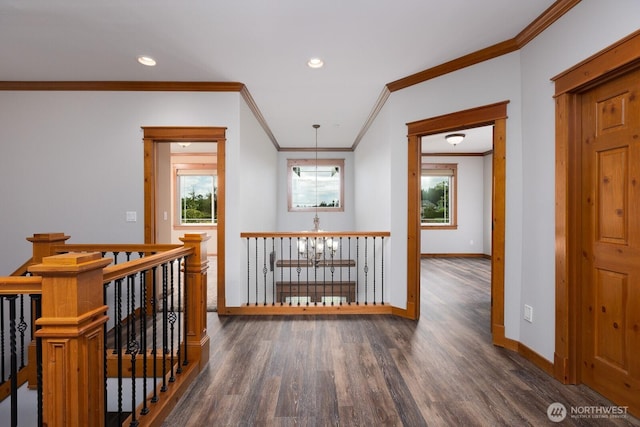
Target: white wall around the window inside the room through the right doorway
x=468, y=237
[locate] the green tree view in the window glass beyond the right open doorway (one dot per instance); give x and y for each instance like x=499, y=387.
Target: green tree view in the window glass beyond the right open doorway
x=436, y=199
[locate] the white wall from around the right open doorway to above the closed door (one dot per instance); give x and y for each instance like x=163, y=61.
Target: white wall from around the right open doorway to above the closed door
x=523, y=78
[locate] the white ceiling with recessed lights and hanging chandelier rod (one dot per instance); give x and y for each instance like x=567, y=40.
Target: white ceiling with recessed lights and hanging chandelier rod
x=264, y=44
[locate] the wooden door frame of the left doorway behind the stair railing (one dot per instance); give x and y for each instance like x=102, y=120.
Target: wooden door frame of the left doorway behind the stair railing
x=159, y=135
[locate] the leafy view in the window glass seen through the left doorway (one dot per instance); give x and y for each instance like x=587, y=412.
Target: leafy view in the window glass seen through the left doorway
x=198, y=199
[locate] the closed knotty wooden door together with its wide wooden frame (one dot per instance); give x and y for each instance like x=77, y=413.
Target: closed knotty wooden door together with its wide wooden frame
x=597, y=130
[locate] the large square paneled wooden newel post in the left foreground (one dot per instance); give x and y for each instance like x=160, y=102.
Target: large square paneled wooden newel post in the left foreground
x=73, y=316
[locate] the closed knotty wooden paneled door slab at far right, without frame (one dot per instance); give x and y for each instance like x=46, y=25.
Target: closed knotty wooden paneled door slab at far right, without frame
x=610, y=233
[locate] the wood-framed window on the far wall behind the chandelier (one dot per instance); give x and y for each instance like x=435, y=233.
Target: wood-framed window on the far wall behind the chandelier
x=310, y=187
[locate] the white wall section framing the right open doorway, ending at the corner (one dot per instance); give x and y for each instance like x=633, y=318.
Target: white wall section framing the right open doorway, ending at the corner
x=487, y=83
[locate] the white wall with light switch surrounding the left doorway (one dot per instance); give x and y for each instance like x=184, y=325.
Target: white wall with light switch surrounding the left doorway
x=72, y=162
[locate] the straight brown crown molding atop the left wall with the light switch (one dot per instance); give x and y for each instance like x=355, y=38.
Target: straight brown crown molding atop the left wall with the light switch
x=123, y=86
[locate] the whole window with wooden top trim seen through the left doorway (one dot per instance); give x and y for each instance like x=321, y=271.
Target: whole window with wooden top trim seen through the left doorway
x=196, y=191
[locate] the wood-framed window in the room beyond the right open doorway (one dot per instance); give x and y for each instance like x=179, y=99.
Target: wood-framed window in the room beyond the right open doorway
x=438, y=195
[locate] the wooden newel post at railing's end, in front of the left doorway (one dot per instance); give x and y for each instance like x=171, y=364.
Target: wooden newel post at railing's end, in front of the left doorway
x=196, y=281
